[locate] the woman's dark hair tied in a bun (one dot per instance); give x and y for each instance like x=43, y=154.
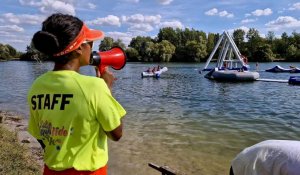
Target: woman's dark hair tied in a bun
x=58, y=31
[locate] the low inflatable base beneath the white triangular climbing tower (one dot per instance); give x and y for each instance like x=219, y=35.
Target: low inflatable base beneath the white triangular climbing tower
x=232, y=75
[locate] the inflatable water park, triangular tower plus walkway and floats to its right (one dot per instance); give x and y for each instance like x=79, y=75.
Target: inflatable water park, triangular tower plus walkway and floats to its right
x=232, y=66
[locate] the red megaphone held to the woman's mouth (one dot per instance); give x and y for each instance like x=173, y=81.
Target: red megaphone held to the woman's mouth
x=115, y=57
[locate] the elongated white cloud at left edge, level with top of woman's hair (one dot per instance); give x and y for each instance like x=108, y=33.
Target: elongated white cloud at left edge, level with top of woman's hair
x=23, y=18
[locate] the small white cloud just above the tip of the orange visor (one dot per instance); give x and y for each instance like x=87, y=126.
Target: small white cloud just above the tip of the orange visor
x=110, y=20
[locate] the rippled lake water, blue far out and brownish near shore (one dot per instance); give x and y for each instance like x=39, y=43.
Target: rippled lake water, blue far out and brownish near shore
x=181, y=120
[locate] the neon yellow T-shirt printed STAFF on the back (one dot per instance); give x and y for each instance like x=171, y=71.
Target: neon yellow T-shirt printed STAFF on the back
x=70, y=113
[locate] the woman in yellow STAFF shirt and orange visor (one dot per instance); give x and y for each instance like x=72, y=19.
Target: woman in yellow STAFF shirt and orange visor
x=72, y=115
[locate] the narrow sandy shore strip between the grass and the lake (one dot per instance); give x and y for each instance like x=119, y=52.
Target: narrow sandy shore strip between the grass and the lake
x=17, y=123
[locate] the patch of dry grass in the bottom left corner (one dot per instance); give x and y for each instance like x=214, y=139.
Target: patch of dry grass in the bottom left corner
x=15, y=159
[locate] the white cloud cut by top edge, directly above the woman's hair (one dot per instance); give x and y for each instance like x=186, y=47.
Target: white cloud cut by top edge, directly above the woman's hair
x=51, y=6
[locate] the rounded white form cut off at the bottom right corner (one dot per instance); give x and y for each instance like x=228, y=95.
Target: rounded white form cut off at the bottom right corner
x=270, y=157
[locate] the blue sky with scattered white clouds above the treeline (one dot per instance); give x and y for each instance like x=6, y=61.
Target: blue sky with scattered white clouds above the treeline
x=126, y=19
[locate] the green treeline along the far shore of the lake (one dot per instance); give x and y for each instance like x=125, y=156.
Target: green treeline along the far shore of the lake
x=190, y=45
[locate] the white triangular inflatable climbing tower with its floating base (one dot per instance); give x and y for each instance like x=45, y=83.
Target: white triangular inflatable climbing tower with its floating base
x=230, y=65
